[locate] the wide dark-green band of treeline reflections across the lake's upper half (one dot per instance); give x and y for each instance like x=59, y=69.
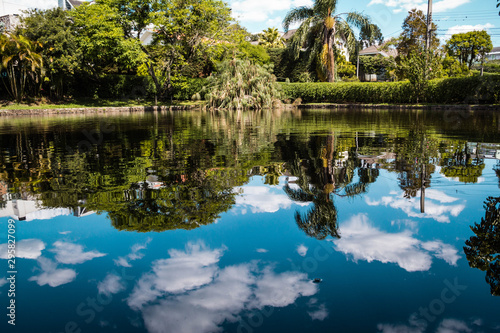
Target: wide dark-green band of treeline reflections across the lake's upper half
x=177, y=170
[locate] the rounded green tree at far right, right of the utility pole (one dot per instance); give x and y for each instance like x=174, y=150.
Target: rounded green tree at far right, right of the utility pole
x=469, y=46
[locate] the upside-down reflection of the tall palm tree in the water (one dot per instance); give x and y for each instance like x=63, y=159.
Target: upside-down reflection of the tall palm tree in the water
x=324, y=167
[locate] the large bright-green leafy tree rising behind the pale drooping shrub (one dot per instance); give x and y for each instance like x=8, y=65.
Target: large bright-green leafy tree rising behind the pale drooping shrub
x=182, y=29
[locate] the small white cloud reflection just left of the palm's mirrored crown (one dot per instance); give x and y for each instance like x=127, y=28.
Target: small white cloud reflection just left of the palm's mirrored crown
x=263, y=199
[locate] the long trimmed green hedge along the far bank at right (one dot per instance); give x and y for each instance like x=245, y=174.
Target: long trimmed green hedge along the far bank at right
x=469, y=90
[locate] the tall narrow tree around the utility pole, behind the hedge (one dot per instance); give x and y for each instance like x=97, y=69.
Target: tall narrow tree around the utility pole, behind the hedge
x=413, y=37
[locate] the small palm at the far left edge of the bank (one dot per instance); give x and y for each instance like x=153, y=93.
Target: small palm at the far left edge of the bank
x=21, y=61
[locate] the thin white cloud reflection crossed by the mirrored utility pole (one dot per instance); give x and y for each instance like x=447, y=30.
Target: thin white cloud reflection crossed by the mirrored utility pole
x=437, y=205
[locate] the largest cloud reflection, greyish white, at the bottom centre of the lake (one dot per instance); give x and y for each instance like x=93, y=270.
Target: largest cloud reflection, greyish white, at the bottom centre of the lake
x=220, y=297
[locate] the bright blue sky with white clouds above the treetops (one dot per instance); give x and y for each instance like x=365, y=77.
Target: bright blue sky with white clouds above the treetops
x=451, y=16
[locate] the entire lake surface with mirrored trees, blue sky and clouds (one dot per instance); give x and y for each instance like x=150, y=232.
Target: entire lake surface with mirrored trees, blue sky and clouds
x=303, y=221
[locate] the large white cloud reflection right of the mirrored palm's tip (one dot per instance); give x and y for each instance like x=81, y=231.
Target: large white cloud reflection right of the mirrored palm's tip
x=363, y=241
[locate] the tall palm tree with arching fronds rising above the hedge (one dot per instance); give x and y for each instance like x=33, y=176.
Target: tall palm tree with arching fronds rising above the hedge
x=321, y=28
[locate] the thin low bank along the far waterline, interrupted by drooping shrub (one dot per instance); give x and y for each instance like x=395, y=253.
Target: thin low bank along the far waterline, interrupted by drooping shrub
x=308, y=106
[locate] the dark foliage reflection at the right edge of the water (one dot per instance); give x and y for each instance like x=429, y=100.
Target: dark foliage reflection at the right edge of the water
x=483, y=249
